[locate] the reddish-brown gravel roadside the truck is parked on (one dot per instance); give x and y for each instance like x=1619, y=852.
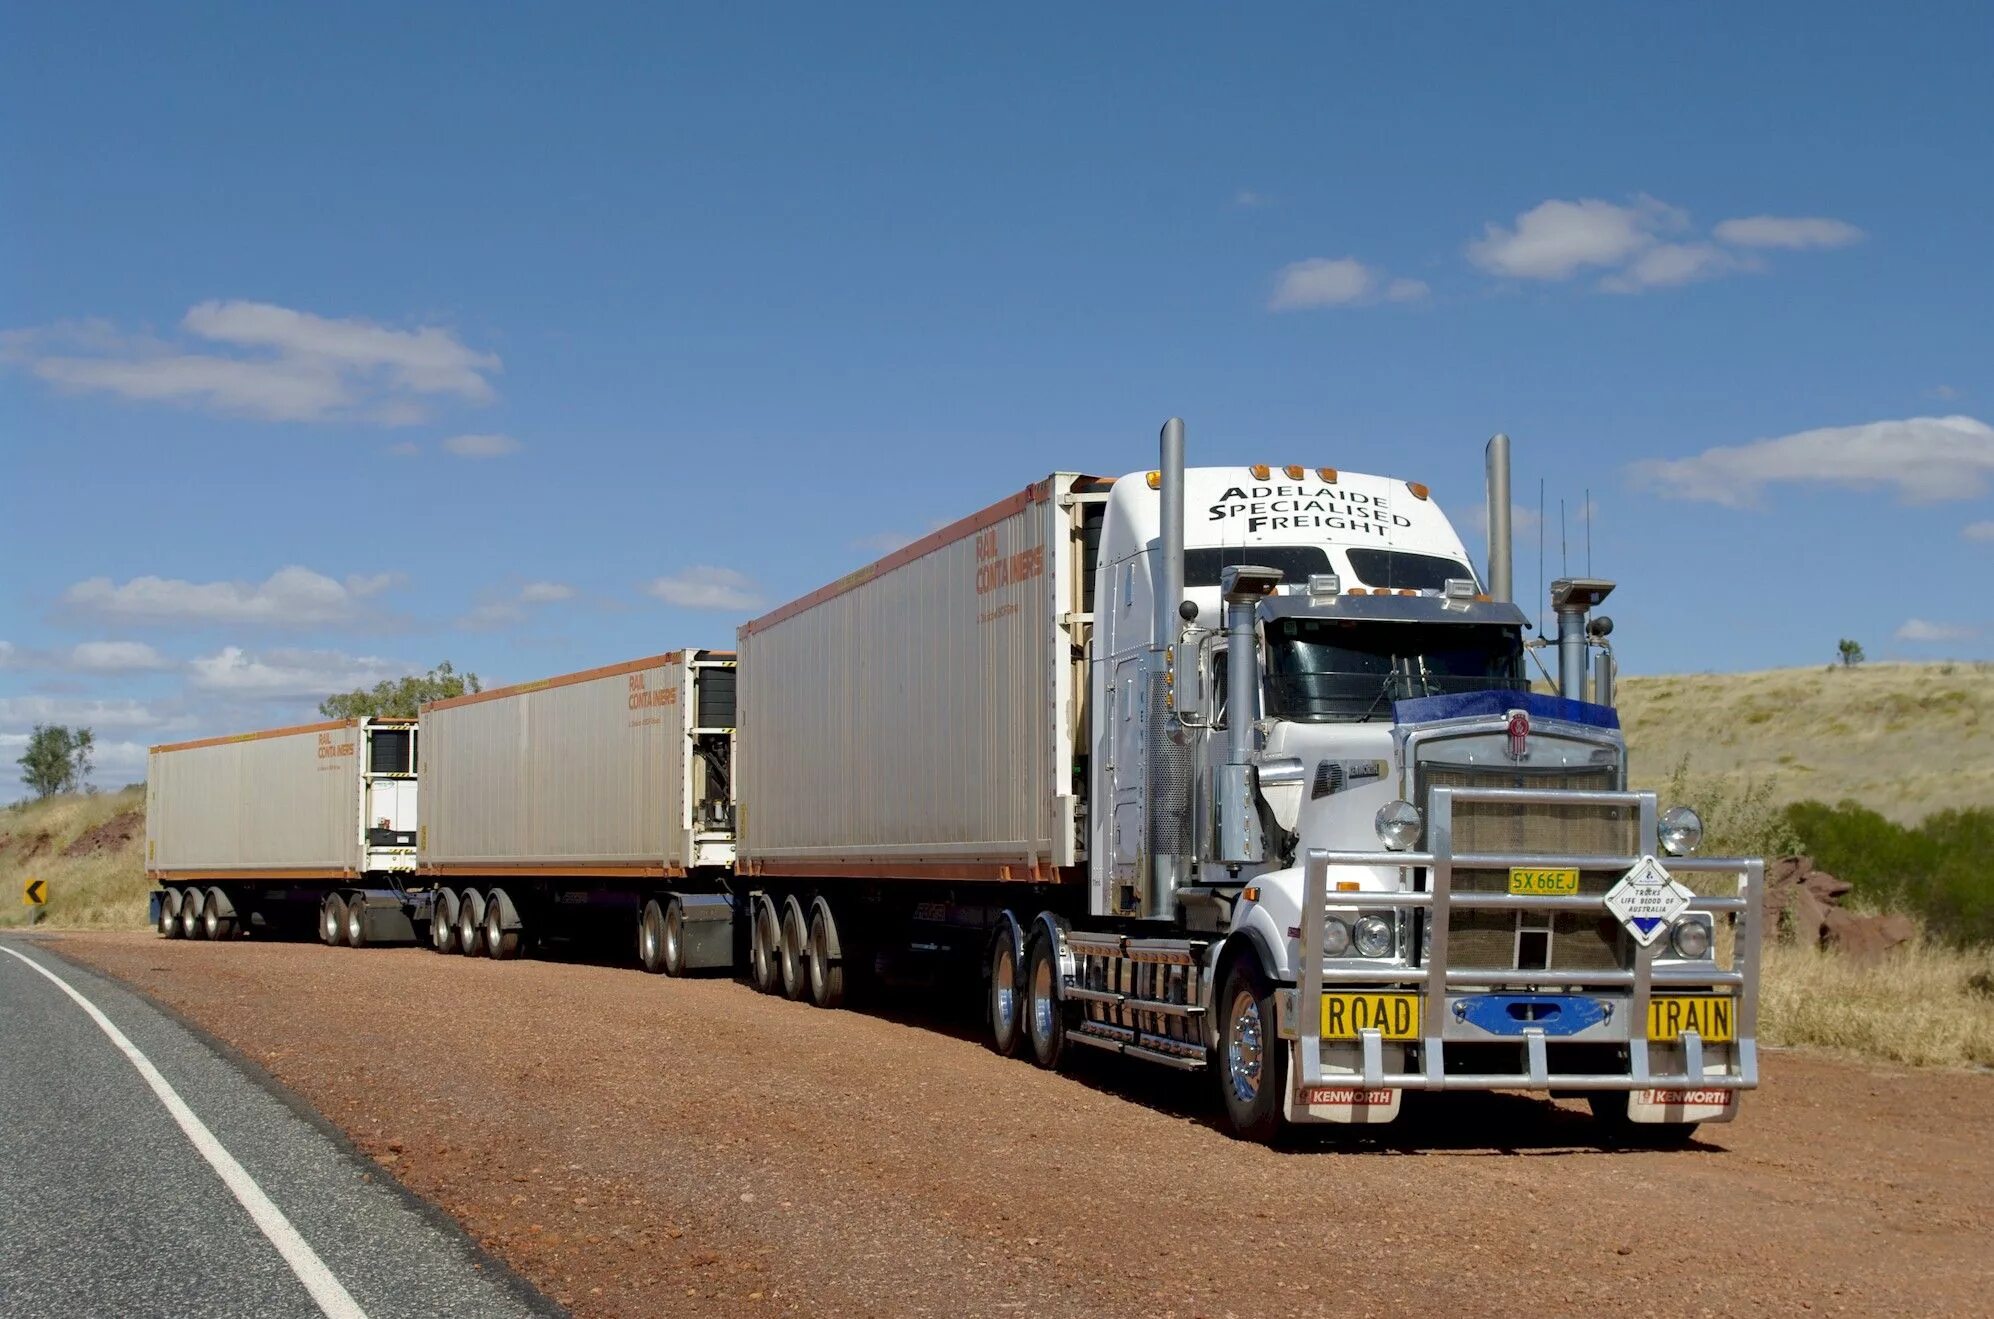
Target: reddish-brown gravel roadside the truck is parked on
x=639, y=1146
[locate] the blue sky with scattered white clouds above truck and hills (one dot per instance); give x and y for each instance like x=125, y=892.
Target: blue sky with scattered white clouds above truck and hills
x=531, y=338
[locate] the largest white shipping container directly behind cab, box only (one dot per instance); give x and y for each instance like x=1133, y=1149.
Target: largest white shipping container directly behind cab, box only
x=924, y=717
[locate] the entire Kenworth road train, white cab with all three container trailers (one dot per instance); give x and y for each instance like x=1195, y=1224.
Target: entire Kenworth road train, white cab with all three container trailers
x=1231, y=769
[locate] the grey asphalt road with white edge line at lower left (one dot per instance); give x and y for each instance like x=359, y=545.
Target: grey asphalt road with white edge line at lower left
x=109, y=1206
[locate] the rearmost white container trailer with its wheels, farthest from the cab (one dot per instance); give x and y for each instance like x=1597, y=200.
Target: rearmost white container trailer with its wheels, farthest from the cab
x=268, y=831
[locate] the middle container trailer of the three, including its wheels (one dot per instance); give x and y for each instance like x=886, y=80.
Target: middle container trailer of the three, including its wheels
x=591, y=801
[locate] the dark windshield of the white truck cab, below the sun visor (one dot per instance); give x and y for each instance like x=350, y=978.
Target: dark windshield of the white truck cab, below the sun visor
x=1351, y=671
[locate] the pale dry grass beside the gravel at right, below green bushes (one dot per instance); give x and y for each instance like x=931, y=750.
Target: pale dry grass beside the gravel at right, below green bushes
x=1923, y=1005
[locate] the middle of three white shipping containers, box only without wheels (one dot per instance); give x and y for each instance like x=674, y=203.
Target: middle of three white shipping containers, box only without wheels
x=609, y=773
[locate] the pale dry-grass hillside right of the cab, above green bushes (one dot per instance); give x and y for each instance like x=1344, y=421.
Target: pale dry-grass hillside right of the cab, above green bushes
x=1901, y=739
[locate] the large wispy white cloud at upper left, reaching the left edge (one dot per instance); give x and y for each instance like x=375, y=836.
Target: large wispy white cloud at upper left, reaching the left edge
x=288, y=366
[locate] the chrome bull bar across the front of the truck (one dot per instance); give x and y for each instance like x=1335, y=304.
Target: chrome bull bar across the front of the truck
x=1437, y=977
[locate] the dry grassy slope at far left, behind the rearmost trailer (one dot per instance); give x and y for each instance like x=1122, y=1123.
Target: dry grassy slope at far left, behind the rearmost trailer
x=101, y=891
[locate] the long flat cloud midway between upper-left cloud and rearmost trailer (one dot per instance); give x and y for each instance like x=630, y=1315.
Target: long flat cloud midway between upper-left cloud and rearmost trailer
x=290, y=598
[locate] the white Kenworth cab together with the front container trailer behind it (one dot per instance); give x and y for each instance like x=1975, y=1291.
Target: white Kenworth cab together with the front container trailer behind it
x=1241, y=769
